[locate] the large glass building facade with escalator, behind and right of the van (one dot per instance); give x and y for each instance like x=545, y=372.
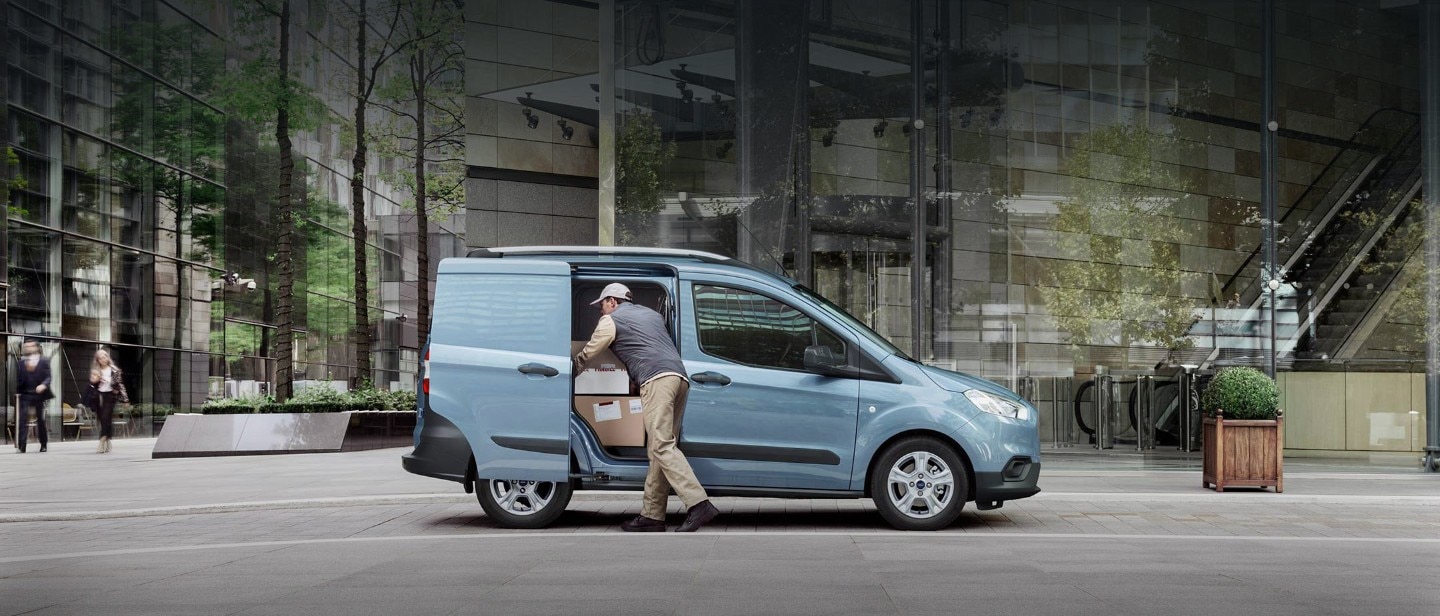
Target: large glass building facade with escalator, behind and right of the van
x=1038, y=191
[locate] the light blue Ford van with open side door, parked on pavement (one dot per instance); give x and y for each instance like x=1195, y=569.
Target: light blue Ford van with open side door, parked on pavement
x=791, y=397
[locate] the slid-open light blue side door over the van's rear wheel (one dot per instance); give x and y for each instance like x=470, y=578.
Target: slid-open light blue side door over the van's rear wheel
x=500, y=363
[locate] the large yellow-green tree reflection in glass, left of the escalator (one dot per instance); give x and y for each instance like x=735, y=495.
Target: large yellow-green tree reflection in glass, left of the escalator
x=1118, y=278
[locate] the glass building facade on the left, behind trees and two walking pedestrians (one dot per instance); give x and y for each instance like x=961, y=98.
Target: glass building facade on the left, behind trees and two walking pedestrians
x=140, y=214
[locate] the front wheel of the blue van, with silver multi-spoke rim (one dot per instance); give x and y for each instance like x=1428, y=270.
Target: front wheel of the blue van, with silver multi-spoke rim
x=902, y=484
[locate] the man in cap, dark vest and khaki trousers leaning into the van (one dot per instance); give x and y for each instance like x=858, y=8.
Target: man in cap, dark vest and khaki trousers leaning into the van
x=639, y=338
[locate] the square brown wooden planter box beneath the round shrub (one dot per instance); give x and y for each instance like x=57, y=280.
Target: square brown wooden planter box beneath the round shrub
x=1245, y=453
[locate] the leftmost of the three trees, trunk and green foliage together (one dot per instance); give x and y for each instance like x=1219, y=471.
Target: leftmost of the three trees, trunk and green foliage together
x=263, y=90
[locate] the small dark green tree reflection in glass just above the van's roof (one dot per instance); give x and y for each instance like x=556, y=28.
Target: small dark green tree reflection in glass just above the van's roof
x=640, y=156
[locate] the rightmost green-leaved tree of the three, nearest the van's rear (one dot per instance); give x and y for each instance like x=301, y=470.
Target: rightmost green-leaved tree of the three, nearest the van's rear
x=426, y=101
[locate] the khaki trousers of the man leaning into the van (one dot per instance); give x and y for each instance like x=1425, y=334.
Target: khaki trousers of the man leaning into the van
x=665, y=404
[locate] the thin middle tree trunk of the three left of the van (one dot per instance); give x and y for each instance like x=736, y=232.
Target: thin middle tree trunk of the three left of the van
x=358, y=228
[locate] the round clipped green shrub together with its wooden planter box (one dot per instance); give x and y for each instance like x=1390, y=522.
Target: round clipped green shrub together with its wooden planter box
x=1245, y=431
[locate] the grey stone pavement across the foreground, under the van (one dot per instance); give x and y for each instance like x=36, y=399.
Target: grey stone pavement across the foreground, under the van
x=355, y=535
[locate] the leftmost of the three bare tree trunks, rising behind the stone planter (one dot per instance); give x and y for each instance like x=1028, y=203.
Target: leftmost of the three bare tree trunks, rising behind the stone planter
x=284, y=309
